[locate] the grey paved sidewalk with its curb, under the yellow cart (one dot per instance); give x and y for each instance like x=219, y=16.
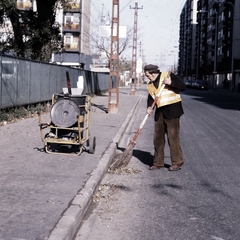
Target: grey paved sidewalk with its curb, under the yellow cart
x=44, y=196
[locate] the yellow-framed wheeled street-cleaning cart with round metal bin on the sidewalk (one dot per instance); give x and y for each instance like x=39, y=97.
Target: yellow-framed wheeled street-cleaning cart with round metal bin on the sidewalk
x=68, y=131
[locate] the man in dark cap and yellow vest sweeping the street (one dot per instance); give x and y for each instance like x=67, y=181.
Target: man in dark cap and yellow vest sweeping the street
x=167, y=115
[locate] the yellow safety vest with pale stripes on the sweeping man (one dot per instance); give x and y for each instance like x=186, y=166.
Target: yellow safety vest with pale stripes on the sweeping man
x=168, y=96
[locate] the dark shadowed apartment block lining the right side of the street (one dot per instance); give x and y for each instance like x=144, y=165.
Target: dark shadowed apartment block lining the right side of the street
x=214, y=39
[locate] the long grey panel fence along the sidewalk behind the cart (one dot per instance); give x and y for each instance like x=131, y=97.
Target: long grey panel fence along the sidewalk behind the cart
x=24, y=82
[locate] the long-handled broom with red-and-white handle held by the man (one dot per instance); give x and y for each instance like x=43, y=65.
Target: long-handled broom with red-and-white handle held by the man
x=124, y=158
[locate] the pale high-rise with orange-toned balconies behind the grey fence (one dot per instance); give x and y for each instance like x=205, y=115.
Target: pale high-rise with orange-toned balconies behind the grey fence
x=74, y=21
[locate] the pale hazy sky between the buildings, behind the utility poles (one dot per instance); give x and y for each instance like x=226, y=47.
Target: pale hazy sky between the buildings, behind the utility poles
x=158, y=27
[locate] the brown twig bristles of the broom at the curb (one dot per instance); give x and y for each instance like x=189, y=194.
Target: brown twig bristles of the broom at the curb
x=124, y=158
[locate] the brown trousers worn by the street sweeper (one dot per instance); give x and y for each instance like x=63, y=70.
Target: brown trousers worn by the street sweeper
x=171, y=128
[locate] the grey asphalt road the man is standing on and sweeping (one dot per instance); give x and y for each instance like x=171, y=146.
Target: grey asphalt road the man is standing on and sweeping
x=201, y=201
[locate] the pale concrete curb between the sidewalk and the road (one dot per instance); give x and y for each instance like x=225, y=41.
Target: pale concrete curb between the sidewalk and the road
x=67, y=226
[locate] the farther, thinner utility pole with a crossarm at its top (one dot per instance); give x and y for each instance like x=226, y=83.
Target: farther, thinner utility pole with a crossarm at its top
x=134, y=48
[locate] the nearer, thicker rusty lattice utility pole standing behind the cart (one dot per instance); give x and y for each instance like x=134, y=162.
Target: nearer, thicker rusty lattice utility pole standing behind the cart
x=113, y=96
